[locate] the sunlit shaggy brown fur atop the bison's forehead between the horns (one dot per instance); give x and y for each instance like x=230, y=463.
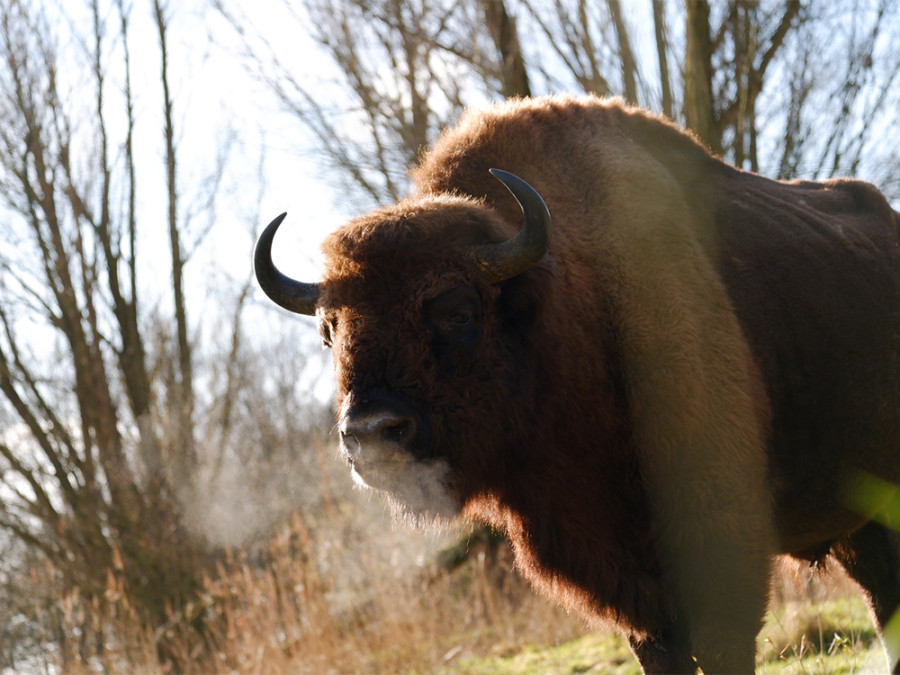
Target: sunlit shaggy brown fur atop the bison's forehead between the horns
x=431, y=232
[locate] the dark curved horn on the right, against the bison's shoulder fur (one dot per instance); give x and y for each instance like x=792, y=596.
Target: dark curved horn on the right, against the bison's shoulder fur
x=512, y=257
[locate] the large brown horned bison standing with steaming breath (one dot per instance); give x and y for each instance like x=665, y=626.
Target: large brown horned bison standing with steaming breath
x=675, y=385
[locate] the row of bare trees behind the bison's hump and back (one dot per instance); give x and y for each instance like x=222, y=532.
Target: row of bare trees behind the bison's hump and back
x=735, y=87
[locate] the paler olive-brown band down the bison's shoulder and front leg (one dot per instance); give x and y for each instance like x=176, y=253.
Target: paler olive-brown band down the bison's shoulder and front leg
x=699, y=416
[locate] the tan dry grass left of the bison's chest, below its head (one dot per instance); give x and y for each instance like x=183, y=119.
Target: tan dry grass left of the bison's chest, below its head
x=287, y=609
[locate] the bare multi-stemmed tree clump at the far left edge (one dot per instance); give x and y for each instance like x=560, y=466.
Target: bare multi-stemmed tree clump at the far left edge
x=87, y=452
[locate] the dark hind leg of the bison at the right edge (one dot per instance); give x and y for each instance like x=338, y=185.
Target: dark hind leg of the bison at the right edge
x=871, y=556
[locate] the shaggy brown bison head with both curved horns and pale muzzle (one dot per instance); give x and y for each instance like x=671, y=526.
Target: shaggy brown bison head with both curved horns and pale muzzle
x=426, y=306
